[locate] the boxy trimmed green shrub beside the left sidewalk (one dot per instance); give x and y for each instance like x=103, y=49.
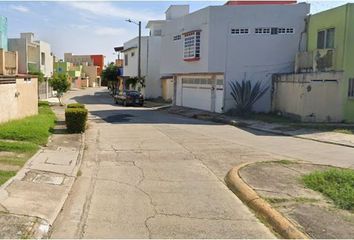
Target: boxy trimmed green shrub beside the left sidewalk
x=75, y=119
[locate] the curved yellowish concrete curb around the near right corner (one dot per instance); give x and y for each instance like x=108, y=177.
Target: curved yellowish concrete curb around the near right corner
x=277, y=221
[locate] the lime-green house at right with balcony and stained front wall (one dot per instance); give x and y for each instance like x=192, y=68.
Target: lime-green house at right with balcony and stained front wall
x=321, y=87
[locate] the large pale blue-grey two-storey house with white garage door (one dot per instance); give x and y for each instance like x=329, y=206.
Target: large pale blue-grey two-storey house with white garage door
x=205, y=50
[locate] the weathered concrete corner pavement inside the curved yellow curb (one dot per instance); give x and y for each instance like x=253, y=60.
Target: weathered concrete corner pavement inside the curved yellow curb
x=281, y=185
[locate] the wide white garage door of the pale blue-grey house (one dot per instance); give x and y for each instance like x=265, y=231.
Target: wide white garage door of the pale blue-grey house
x=202, y=93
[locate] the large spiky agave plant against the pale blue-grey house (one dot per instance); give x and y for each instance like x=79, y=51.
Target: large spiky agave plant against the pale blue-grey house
x=246, y=95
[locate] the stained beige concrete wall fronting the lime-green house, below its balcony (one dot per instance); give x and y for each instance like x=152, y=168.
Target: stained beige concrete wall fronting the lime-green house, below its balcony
x=311, y=97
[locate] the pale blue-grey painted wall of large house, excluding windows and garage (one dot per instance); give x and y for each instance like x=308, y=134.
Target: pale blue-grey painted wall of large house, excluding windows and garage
x=252, y=56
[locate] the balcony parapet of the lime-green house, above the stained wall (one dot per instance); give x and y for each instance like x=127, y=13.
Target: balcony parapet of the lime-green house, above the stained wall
x=319, y=60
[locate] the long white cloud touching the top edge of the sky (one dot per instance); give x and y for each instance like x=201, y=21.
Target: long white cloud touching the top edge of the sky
x=108, y=9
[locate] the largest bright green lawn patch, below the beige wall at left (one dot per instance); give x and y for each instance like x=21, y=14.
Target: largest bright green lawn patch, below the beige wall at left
x=35, y=129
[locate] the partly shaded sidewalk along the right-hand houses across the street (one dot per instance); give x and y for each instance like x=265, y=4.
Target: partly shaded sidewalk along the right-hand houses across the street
x=342, y=139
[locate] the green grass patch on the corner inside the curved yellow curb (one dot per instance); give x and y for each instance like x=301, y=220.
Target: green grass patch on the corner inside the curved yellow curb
x=336, y=184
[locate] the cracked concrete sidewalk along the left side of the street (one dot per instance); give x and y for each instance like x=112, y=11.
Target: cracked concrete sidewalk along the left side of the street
x=30, y=201
